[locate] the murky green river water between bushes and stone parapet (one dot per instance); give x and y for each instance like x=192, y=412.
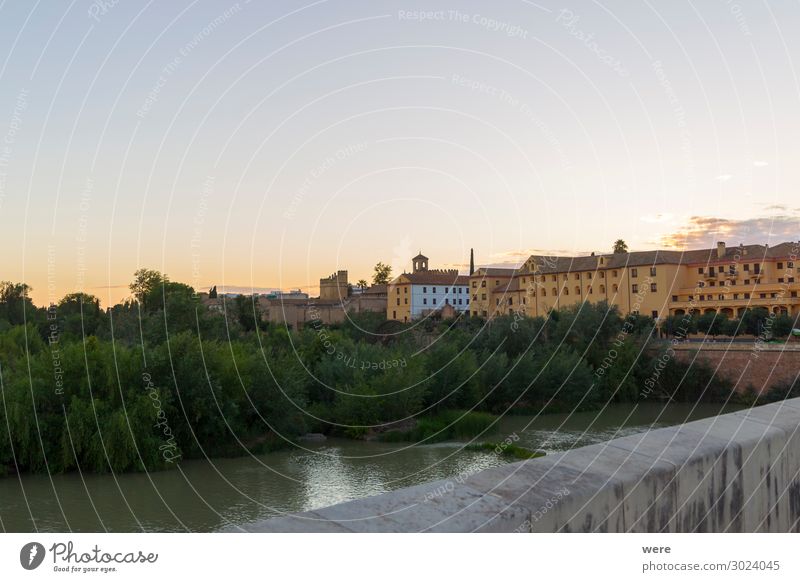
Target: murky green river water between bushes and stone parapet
x=208, y=495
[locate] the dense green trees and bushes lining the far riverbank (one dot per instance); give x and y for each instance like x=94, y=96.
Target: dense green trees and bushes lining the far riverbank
x=161, y=378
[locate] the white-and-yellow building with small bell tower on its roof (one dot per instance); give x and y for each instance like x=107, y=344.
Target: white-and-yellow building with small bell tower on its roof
x=424, y=291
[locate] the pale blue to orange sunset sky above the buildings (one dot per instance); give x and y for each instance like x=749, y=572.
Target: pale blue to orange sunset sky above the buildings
x=260, y=145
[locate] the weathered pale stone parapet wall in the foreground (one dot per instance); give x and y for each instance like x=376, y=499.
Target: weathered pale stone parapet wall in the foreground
x=732, y=473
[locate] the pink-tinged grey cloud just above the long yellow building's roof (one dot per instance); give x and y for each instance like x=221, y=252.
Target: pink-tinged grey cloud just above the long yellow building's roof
x=704, y=231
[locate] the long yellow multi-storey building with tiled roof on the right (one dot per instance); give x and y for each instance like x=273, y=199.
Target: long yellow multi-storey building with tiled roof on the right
x=727, y=280
